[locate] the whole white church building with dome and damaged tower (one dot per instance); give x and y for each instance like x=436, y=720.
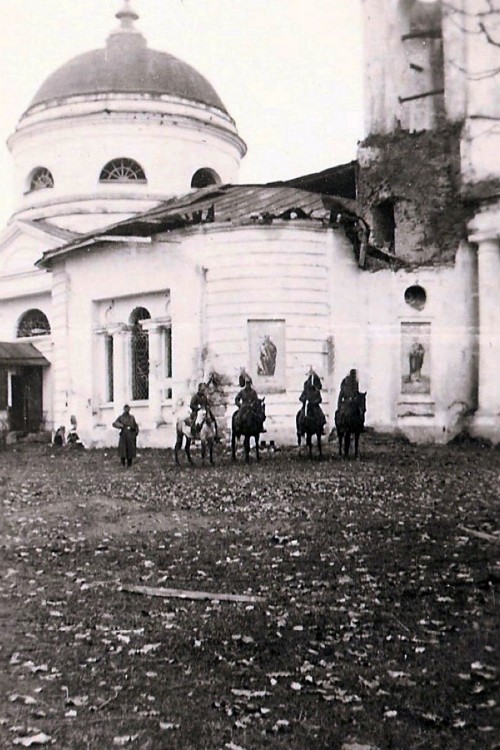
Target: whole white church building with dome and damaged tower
x=135, y=266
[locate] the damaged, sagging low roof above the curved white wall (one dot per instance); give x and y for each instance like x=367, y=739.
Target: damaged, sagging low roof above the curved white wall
x=232, y=204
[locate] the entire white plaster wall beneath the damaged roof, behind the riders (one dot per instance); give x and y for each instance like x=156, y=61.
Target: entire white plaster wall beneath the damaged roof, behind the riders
x=211, y=280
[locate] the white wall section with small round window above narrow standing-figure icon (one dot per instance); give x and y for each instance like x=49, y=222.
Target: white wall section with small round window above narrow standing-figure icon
x=451, y=311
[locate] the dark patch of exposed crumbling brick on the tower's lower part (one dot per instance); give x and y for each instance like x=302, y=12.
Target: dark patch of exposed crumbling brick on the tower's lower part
x=417, y=175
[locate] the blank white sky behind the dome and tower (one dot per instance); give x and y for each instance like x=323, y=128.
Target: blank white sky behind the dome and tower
x=288, y=71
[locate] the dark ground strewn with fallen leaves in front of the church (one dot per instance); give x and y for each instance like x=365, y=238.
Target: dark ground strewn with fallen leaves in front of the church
x=374, y=625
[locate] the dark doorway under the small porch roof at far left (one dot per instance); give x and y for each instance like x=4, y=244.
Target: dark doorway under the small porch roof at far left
x=27, y=400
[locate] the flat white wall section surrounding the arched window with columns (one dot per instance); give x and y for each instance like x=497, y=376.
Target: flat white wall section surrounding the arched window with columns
x=132, y=275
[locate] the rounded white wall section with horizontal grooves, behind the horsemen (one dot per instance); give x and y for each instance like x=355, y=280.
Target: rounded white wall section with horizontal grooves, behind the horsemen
x=298, y=273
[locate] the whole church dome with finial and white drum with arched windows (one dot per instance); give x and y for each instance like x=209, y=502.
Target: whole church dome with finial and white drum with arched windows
x=127, y=102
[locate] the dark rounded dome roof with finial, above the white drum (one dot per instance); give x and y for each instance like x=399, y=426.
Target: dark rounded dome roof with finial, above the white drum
x=127, y=66
